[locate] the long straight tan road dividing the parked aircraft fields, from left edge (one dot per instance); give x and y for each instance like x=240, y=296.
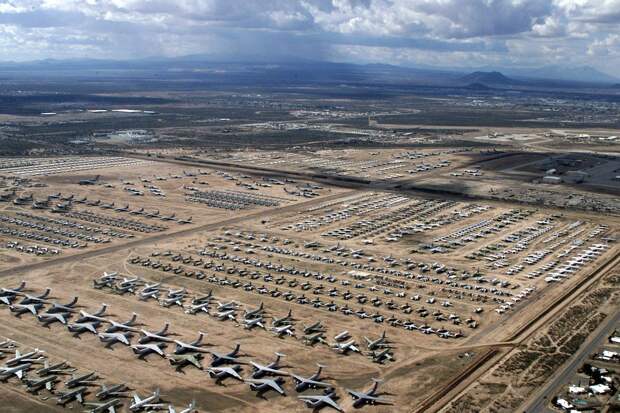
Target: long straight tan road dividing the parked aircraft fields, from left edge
x=169, y=235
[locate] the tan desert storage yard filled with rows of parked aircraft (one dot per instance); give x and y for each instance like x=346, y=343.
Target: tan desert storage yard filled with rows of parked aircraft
x=226, y=286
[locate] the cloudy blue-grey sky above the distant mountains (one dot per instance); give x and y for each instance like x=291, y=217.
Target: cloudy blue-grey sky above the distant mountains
x=447, y=33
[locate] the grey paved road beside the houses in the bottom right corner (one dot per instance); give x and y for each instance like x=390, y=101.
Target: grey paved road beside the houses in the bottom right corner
x=565, y=373
